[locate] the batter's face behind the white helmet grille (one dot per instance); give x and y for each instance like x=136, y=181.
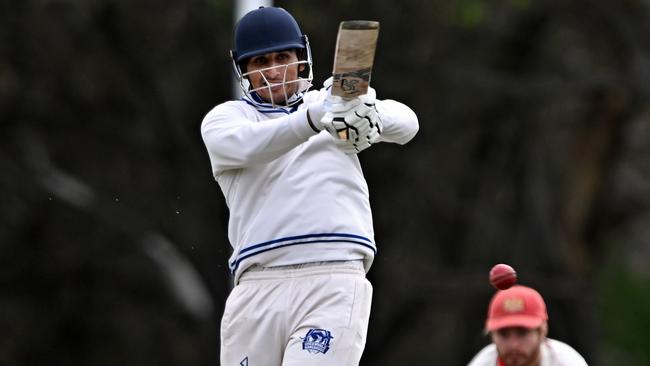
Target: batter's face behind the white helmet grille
x=272, y=74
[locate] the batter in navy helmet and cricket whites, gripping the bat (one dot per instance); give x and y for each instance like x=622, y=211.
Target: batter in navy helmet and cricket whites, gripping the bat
x=300, y=221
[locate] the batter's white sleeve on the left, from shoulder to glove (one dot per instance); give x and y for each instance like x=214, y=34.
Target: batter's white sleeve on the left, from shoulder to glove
x=234, y=141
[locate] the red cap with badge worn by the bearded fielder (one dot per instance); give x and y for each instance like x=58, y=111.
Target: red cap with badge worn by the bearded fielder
x=518, y=306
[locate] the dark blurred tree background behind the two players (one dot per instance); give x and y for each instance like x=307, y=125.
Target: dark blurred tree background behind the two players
x=534, y=150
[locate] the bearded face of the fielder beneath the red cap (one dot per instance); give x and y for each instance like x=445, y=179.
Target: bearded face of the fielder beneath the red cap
x=518, y=346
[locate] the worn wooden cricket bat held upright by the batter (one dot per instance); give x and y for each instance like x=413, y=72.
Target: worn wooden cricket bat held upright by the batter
x=353, y=59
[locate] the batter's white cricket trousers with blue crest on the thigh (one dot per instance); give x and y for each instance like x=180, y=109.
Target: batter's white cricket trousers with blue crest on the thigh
x=309, y=314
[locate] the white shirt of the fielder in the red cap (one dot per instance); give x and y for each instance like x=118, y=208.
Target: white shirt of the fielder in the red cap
x=553, y=353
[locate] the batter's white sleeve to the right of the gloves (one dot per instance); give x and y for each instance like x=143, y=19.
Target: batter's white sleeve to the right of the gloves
x=399, y=121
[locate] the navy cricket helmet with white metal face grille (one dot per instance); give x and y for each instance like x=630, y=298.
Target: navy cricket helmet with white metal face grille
x=267, y=30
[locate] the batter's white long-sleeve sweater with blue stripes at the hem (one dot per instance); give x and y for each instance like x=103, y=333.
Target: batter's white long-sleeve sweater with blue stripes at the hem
x=293, y=196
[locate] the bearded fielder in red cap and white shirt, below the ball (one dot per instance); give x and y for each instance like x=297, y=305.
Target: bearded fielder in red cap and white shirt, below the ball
x=518, y=324
